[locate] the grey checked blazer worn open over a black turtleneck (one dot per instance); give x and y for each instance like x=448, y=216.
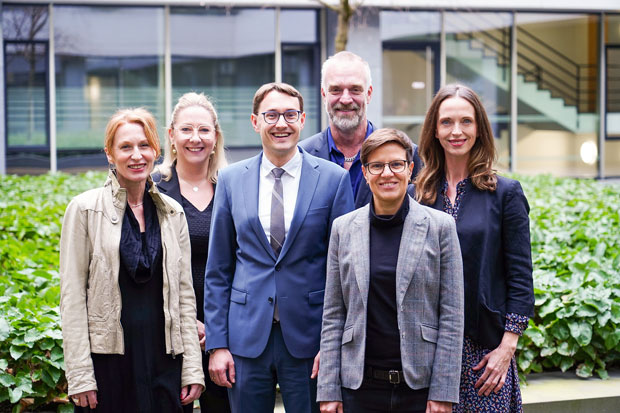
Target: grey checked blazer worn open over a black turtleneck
x=429, y=294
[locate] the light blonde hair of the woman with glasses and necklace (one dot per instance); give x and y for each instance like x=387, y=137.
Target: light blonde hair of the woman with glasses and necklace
x=218, y=158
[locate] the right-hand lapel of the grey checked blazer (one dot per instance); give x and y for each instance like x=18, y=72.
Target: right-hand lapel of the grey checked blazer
x=411, y=246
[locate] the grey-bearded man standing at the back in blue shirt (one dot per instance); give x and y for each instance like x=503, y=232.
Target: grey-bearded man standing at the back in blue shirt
x=346, y=88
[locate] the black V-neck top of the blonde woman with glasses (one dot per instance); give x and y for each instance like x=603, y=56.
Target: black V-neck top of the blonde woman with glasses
x=198, y=223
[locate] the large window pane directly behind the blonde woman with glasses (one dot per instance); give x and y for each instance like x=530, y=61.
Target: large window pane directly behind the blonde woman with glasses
x=234, y=59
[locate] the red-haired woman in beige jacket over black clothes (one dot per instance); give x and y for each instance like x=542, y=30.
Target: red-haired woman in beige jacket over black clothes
x=127, y=302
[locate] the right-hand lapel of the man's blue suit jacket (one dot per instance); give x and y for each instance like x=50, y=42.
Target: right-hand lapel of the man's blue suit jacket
x=309, y=177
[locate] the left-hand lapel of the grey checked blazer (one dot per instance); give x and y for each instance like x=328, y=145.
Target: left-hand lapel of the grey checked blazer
x=360, y=241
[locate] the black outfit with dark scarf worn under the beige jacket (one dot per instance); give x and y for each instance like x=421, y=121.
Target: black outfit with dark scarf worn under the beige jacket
x=145, y=378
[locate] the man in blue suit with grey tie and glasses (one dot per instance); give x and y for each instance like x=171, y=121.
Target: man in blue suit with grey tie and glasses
x=265, y=277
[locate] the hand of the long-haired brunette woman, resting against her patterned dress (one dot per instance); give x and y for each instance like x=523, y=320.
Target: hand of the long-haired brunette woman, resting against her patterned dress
x=497, y=363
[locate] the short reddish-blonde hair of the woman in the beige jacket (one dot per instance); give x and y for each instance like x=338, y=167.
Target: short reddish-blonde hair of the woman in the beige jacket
x=139, y=116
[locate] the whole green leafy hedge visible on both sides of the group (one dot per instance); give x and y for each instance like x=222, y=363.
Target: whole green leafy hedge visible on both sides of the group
x=575, y=248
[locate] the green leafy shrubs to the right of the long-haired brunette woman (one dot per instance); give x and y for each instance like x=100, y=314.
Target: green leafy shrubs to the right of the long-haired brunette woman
x=575, y=230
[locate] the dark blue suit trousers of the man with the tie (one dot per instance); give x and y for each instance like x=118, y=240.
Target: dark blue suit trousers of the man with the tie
x=254, y=390
